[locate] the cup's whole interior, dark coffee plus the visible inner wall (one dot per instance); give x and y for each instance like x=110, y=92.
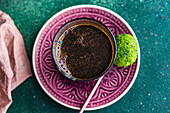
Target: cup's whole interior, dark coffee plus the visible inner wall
x=85, y=49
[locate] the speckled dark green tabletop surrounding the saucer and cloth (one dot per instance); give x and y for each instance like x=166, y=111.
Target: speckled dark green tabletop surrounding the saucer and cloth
x=150, y=20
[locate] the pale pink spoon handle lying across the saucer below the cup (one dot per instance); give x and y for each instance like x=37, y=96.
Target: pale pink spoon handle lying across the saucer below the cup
x=91, y=94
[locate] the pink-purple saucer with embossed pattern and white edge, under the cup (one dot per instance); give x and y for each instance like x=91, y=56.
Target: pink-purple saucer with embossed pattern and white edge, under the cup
x=73, y=94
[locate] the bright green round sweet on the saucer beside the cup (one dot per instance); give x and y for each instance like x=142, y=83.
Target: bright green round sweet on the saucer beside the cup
x=127, y=50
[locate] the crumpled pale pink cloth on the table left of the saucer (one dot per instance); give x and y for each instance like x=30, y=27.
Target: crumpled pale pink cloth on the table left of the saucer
x=14, y=62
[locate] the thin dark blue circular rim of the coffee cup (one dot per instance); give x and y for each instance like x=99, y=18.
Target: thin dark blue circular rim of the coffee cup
x=114, y=44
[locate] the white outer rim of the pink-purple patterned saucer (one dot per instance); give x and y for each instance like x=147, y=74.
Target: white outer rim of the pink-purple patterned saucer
x=85, y=6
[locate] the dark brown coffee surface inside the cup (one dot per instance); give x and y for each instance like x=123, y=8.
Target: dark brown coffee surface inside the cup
x=87, y=50
